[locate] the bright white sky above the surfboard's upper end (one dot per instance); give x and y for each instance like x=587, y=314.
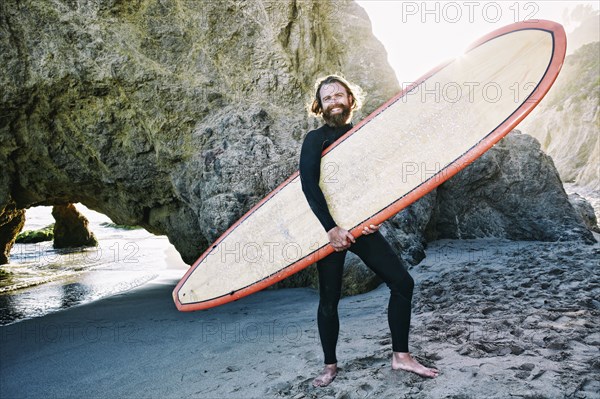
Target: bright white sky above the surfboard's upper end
x=419, y=35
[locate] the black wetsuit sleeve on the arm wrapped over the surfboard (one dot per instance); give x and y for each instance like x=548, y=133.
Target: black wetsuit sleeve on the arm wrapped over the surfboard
x=310, y=171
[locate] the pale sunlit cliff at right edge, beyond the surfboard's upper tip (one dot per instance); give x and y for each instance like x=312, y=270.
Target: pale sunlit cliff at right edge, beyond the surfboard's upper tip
x=567, y=122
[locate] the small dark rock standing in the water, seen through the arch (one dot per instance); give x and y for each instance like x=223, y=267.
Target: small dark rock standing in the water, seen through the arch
x=71, y=228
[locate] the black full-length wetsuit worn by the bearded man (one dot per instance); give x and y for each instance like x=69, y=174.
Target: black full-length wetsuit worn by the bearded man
x=373, y=249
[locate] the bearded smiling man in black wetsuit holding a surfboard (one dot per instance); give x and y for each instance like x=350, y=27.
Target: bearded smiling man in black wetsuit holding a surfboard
x=335, y=100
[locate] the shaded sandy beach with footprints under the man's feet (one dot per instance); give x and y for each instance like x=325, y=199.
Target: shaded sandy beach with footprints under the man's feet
x=498, y=318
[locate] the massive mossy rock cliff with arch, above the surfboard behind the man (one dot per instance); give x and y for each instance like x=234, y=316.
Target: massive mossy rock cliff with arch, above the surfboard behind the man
x=174, y=115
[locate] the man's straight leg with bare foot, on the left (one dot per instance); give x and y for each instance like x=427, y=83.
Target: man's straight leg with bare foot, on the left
x=331, y=269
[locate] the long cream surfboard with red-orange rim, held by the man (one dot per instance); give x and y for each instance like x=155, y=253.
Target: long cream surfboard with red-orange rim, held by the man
x=420, y=138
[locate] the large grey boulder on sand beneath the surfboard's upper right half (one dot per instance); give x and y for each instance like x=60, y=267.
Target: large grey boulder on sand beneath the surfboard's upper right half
x=513, y=191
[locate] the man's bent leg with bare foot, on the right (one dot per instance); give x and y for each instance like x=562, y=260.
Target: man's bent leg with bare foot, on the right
x=379, y=256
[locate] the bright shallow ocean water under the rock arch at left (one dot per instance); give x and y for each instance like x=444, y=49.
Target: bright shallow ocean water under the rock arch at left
x=45, y=280
